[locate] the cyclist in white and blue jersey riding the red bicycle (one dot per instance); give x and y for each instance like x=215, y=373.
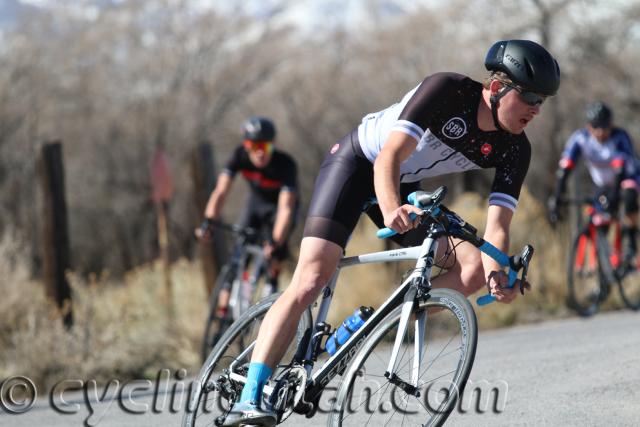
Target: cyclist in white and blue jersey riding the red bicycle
x=610, y=158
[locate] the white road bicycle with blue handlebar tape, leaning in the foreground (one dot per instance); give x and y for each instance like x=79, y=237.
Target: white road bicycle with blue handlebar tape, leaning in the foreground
x=391, y=373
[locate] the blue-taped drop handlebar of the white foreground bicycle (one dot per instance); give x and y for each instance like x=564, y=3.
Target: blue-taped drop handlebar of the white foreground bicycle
x=455, y=226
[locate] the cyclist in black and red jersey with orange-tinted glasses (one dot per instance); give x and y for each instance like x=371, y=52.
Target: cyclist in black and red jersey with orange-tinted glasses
x=272, y=202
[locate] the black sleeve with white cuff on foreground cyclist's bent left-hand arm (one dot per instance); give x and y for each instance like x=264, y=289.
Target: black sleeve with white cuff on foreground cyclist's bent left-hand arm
x=426, y=99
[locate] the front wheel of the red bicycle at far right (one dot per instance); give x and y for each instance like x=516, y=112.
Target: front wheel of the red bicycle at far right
x=585, y=286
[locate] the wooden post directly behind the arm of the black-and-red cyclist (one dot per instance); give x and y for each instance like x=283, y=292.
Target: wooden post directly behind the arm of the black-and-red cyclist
x=213, y=256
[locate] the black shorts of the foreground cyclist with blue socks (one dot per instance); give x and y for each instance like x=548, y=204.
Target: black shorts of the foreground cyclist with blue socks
x=343, y=188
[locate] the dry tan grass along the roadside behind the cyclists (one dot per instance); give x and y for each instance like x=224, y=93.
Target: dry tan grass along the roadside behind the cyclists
x=123, y=329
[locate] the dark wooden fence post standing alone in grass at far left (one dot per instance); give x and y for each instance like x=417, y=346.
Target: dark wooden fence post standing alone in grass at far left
x=56, y=246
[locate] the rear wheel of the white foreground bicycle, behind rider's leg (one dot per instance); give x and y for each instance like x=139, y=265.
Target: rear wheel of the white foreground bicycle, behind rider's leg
x=241, y=329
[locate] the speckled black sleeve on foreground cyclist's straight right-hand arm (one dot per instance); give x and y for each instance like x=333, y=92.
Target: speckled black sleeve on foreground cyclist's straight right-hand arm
x=510, y=174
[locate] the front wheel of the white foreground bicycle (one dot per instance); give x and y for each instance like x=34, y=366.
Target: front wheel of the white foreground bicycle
x=368, y=397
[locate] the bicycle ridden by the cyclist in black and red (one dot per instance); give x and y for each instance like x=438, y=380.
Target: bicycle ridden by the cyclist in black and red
x=241, y=276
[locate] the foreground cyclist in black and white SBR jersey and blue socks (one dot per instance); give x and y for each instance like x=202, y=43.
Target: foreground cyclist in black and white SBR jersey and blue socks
x=447, y=123
